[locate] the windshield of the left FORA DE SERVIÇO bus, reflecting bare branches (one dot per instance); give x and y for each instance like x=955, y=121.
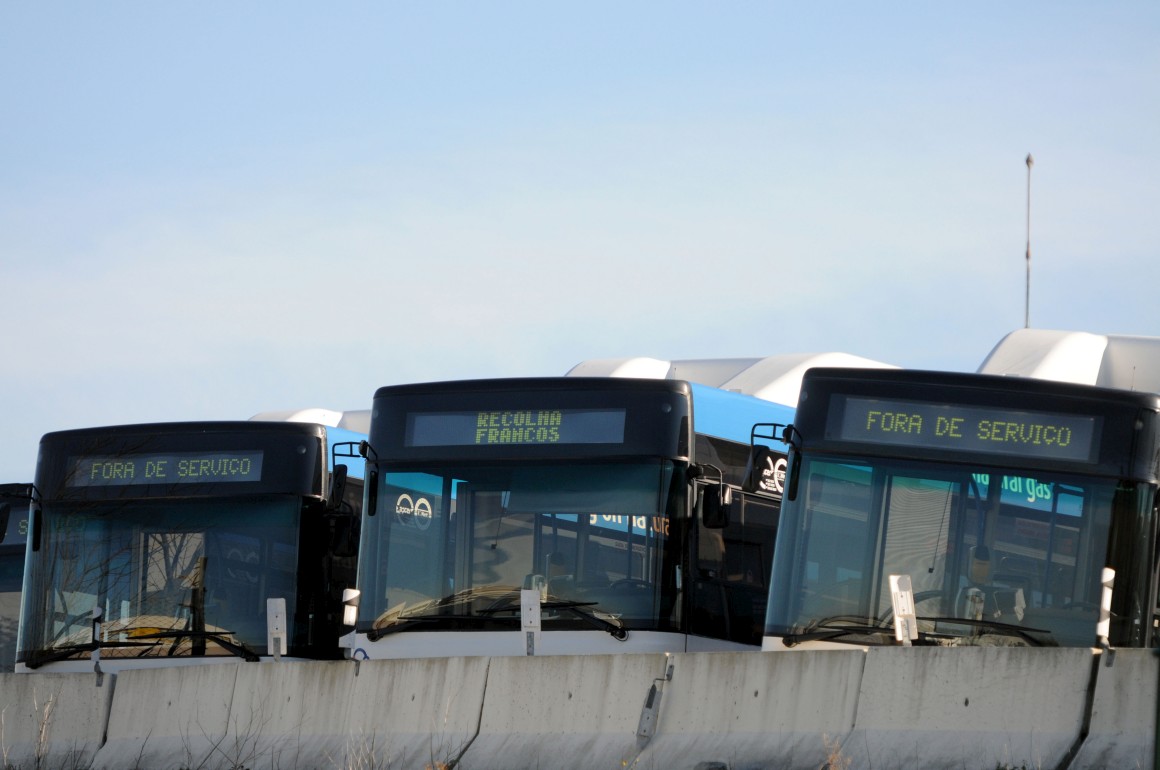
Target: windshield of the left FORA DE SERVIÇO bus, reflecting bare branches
x=170, y=578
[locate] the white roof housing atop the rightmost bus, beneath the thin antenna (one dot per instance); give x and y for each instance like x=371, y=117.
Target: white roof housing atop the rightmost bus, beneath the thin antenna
x=1120, y=361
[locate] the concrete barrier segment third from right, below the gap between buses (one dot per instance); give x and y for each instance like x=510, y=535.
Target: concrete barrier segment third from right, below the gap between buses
x=767, y=710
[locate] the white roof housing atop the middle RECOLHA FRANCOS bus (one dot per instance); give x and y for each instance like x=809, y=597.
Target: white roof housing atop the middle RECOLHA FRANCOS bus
x=773, y=379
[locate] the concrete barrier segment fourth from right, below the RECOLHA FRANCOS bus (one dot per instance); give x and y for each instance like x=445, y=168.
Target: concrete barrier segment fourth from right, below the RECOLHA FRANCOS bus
x=563, y=711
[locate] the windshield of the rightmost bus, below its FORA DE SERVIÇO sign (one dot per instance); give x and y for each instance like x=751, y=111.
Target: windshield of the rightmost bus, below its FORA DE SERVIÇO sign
x=995, y=558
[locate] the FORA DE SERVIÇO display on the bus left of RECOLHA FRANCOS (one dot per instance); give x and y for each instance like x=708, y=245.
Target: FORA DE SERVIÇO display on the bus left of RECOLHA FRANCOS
x=166, y=468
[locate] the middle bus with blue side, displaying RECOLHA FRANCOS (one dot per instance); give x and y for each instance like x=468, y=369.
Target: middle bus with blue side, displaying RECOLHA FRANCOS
x=565, y=517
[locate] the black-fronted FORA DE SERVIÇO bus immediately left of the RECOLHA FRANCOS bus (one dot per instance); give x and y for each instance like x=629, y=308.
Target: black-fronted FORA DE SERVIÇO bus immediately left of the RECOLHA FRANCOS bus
x=177, y=543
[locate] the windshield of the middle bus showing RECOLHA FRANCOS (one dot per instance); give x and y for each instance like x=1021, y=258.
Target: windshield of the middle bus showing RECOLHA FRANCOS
x=454, y=546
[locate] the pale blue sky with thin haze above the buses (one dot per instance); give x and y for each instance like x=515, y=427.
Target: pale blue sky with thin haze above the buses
x=209, y=212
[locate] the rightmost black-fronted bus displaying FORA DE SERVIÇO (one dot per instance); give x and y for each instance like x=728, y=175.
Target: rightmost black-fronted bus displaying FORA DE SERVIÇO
x=1021, y=512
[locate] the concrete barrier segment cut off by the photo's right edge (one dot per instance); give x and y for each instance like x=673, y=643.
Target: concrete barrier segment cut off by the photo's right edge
x=1123, y=730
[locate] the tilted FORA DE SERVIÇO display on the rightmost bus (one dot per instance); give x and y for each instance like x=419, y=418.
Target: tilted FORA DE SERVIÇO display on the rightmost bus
x=968, y=430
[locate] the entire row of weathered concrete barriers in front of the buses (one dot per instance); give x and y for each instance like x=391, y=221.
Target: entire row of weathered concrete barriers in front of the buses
x=961, y=709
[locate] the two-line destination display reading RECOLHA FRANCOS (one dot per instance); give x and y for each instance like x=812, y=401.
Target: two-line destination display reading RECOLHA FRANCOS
x=514, y=427
